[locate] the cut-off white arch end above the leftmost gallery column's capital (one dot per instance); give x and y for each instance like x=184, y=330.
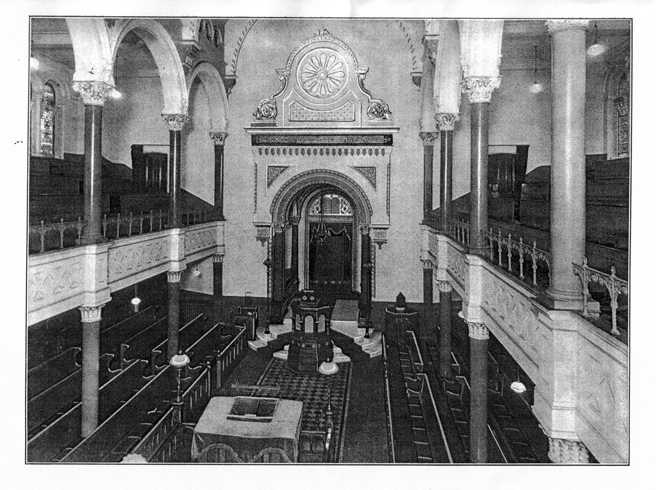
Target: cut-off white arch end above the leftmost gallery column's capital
x=91, y=49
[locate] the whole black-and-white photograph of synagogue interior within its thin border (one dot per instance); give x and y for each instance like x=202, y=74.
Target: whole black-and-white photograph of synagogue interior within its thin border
x=328, y=241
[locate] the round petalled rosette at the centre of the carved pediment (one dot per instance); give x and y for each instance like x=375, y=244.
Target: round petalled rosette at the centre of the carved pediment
x=322, y=75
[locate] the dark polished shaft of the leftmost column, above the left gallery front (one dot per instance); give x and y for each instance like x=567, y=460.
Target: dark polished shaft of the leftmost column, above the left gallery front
x=92, y=174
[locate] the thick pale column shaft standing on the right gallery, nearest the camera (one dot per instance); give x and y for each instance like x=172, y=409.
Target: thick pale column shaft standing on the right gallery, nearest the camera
x=567, y=165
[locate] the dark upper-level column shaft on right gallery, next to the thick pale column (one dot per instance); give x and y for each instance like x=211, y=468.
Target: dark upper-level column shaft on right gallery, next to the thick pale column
x=478, y=194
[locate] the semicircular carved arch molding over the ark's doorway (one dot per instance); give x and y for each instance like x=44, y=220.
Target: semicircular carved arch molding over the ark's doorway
x=319, y=177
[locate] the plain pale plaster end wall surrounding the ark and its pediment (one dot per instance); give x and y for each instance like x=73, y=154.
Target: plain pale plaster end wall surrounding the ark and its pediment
x=374, y=43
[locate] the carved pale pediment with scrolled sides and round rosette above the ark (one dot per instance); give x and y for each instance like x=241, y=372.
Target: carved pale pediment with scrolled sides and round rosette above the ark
x=322, y=85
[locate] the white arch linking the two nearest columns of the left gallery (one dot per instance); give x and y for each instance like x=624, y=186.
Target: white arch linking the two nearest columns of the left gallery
x=167, y=59
